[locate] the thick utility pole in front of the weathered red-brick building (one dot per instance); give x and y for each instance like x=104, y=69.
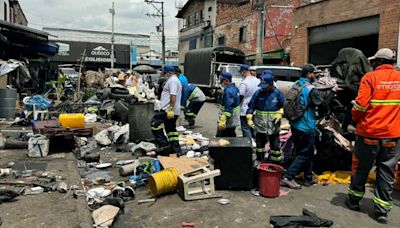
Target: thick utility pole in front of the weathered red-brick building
x=260, y=6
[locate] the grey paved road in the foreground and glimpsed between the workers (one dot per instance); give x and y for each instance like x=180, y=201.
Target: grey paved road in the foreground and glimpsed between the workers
x=246, y=209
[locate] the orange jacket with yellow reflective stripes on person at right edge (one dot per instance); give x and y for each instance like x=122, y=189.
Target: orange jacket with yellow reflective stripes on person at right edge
x=377, y=106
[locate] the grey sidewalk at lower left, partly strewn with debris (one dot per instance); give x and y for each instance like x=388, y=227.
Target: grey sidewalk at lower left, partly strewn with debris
x=45, y=209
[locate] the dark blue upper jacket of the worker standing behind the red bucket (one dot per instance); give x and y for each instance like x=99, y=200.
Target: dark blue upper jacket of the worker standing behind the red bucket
x=270, y=101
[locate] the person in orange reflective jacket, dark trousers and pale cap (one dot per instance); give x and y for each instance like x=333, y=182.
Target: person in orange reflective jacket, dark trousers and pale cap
x=377, y=113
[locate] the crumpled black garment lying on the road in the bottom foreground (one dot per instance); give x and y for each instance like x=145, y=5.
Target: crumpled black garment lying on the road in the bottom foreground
x=308, y=219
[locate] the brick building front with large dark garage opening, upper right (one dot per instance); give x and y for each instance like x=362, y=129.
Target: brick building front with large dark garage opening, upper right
x=321, y=29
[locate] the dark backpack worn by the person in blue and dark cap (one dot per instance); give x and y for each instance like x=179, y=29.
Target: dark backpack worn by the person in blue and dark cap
x=292, y=108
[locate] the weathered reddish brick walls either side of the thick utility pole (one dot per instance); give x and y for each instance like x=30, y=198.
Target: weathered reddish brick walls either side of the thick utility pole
x=231, y=17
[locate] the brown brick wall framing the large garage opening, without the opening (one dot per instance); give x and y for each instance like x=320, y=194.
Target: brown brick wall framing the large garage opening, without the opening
x=334, y=11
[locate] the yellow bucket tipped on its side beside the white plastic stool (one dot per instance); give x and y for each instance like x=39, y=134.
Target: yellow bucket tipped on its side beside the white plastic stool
x=164, y=181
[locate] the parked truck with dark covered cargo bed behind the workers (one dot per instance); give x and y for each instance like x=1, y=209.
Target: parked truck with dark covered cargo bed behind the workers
x=204, y=66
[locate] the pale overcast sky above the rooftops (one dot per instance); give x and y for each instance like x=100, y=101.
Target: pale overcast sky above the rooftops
x=94, y=15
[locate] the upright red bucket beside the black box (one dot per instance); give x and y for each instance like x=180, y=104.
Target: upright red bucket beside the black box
x=269, y=179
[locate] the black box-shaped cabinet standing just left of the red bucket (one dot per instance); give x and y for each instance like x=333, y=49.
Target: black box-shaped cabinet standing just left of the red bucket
x=235, y=161
